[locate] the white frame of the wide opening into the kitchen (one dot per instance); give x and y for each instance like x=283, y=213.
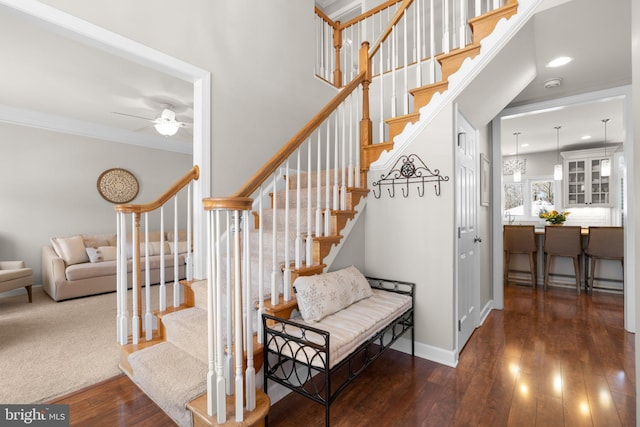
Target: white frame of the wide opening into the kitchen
x=623, y=92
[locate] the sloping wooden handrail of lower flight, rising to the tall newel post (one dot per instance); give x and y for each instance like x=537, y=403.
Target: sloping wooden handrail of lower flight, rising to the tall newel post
x=270, y=167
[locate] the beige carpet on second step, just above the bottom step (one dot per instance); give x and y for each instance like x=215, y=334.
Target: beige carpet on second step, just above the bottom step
x=187, y=330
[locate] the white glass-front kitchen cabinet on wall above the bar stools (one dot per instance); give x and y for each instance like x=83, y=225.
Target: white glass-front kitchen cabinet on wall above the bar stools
x=584, y=184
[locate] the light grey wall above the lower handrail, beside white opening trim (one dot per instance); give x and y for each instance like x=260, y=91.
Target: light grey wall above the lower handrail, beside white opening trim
x=261, y=57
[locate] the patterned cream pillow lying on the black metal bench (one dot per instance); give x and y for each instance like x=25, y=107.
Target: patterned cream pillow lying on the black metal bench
x=324, y=294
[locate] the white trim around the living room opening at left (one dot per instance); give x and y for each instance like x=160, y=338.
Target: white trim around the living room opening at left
x=93, y=35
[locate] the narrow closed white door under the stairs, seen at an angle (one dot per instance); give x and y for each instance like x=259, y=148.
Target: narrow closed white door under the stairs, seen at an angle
x=468, y=262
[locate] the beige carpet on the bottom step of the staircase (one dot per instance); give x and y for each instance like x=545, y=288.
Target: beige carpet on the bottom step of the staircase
x=170, y=377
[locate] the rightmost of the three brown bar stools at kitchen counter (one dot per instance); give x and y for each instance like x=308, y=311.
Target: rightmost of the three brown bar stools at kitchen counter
x=604, y=243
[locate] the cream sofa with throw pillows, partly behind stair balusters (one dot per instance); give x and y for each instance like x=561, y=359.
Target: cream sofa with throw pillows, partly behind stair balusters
x=83, y=265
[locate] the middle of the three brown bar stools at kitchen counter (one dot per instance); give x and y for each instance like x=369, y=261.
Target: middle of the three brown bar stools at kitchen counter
x=562, y=241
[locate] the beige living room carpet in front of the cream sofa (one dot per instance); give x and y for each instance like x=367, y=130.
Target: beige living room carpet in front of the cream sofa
x=49, y=349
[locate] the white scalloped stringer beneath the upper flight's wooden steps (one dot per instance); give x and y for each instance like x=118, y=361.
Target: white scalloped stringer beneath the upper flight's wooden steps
x=491, y=45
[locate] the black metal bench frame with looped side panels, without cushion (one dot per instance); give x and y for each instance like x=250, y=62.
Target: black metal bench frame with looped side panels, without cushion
x=297, y=356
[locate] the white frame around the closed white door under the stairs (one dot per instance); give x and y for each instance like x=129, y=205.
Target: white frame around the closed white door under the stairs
x=475, y=295
